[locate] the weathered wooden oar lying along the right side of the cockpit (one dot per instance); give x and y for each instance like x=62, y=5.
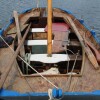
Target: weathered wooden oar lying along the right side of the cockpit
x=85, y=47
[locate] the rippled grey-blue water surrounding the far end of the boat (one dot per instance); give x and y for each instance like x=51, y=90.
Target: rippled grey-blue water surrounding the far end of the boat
x=89, y=10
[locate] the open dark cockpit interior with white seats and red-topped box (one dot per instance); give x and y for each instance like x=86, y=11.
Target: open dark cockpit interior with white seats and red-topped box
x=65, y=44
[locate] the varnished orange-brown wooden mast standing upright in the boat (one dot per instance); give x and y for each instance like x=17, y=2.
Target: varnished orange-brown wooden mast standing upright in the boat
x=49, y=20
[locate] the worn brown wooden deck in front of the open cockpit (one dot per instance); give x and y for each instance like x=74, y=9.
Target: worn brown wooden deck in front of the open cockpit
x=89, y=81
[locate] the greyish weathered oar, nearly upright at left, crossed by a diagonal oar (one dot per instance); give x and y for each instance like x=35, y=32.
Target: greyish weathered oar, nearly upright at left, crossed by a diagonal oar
x=22, y=50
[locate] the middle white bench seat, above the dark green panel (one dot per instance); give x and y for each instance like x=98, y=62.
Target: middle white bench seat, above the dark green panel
x=36, y=42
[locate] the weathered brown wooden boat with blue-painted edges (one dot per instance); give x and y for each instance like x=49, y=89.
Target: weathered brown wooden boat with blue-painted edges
x=70, y=65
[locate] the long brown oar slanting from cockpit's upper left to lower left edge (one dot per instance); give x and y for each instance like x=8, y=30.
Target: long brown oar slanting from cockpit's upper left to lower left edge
x=9, y=65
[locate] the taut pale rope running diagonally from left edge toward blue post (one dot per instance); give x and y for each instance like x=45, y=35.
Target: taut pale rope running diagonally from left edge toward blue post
x=31, y=66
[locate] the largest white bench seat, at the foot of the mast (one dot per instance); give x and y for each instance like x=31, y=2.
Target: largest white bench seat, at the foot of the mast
x=45, y=59
